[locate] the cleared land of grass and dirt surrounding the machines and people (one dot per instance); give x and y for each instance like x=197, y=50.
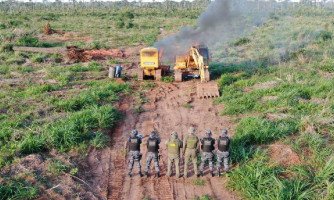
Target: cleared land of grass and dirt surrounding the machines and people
x=63, y=121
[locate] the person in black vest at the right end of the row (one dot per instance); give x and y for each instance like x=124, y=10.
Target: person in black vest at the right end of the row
x=223, y=151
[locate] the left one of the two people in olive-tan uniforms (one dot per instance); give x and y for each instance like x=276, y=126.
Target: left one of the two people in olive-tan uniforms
x=174, y=144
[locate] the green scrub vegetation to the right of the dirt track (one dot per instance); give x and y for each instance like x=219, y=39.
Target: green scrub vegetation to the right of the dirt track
x=277, y=84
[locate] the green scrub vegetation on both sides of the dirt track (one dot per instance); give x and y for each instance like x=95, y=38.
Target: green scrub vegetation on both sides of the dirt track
x=276, y=83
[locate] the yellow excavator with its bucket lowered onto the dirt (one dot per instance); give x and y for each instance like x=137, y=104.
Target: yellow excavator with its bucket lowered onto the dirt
x=196, y=64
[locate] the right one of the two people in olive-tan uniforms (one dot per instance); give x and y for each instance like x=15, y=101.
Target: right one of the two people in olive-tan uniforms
x=190, y=150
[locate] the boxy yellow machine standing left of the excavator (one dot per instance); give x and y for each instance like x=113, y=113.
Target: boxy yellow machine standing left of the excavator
x=150, y=64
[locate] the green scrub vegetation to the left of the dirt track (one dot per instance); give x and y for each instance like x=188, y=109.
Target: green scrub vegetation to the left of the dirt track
x=54, y=112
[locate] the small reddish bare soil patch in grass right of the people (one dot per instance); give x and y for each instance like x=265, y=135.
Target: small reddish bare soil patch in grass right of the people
x=283, y=155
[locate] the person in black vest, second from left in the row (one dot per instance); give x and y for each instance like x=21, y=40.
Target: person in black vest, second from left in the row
x=153, y=153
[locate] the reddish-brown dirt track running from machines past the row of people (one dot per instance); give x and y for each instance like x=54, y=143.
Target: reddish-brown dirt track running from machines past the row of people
x=171, y=106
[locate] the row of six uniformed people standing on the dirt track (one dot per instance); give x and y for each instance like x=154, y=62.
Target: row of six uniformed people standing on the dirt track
x=191, y=147
